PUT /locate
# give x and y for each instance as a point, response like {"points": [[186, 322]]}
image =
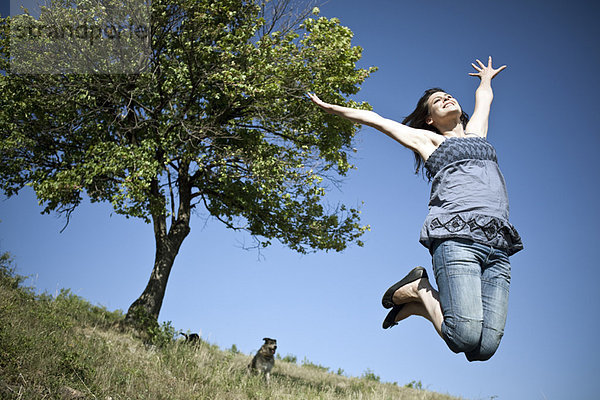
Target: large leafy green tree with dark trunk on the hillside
{"points": [[215, 117]]}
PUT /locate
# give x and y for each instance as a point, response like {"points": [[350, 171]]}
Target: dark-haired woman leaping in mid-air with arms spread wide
{"points": [[466, 231]]}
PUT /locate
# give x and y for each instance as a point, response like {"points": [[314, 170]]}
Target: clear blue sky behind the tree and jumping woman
{"points": [[325, 307]]}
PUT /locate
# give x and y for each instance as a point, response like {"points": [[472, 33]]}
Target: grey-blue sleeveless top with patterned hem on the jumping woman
{"points": [[468, 196]]}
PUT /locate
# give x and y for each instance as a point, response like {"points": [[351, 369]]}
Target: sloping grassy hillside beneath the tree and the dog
{"points": [[62, 347]]}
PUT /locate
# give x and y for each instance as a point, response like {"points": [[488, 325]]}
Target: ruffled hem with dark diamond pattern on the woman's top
{"points": [[492, 231]]}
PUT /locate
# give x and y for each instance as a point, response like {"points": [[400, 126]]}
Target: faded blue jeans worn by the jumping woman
{"points": [[473, 282]]}
